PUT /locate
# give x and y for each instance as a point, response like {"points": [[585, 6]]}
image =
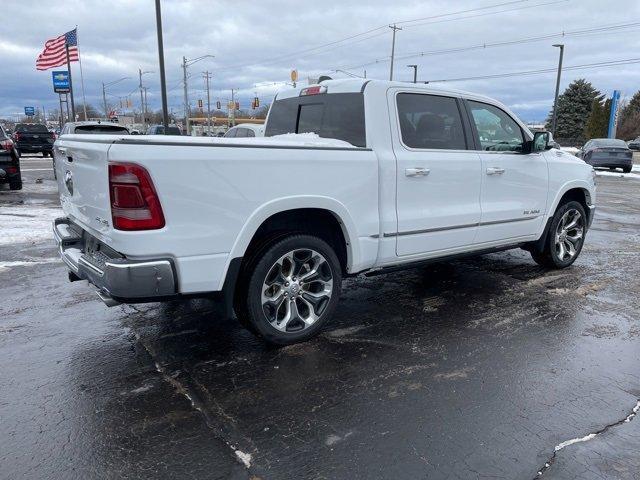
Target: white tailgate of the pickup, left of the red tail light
{"points": [[83, 183]]}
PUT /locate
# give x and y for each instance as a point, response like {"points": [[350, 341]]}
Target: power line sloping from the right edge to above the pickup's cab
{"points": [[483, 46]]}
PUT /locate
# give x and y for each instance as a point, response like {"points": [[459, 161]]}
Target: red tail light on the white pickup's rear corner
{"points": [[134, 202]]}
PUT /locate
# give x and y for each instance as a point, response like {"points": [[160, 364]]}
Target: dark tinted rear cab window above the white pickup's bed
{"points": [[329, 115]]}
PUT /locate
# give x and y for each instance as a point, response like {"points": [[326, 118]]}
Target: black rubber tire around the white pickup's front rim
{"points": [[550, 256]]}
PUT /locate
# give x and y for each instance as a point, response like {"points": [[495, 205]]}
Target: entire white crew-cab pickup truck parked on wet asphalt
{"points": [[402, 174]]}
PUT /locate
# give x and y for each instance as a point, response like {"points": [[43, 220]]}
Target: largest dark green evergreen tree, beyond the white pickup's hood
{"points": [[574, 108]]}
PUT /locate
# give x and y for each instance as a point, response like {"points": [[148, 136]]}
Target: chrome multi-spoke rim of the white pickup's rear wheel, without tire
{"points": [[297, 290]]}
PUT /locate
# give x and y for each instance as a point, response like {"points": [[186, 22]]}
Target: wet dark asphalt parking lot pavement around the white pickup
{"points": [[470, 369]]}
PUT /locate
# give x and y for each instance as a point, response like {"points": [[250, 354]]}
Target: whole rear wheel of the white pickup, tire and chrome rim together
{"points": [[291, 290]]}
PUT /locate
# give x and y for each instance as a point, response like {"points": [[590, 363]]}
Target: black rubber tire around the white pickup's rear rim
{"points": [[249, 307]]}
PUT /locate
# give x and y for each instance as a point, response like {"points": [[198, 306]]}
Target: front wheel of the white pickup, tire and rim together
{"points": [[565, 237]]}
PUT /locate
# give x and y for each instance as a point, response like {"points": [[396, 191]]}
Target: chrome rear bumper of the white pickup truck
{"points": [[117, 278]]}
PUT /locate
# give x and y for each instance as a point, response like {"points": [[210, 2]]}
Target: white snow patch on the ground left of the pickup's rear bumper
{"points": [[26, 224]]}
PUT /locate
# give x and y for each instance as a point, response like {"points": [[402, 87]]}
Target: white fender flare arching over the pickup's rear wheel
{"points": [[283, 204]]}
